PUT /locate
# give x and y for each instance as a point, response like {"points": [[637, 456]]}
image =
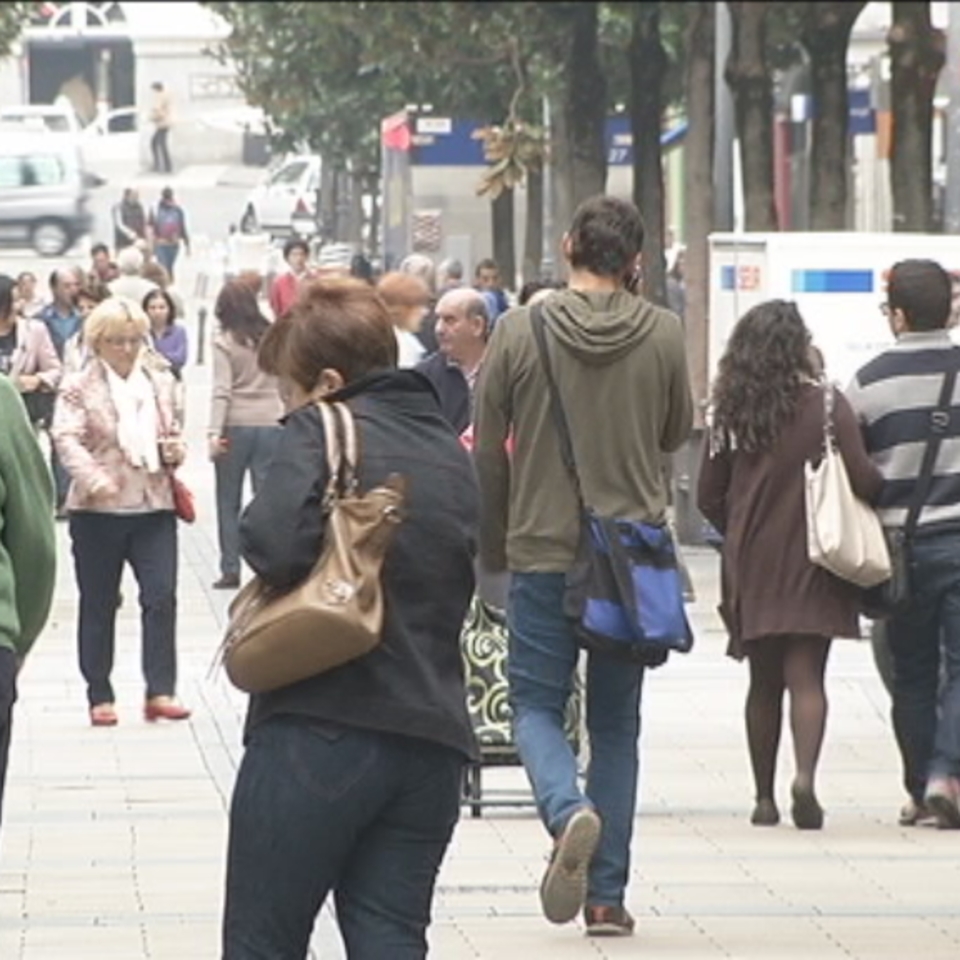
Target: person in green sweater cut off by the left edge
{"points": [[27, 552]]}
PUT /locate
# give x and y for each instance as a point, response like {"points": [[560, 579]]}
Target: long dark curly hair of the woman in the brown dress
{"points": [[760, 376]]}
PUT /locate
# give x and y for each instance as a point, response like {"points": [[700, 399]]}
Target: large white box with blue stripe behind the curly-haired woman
{"points": [[838, 281]]}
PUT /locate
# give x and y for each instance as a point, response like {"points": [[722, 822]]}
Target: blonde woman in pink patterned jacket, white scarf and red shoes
{"points": [[117, 432]]}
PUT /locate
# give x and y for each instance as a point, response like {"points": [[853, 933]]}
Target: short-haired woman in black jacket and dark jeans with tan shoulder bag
{"points": [[351, 780]]}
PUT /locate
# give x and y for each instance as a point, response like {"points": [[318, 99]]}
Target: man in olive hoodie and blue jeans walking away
{"points": [[620, 366]]}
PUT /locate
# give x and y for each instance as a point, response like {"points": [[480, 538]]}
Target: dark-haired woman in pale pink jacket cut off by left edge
{"points": [[27, 355]]}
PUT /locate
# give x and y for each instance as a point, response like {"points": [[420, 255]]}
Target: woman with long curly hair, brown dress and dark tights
{"points": [[781, 610]]}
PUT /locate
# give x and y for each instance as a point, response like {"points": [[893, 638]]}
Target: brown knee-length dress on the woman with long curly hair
{"points": [[768, 585]]}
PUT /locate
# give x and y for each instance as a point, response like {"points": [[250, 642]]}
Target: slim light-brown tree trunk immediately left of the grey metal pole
{"points": [[698, 187]]}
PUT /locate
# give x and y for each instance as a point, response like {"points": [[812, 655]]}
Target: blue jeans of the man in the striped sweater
{"points": [[928, 733]]}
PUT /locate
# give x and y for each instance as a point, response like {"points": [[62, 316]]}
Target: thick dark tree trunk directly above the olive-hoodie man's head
{"points": [[579, 127]]}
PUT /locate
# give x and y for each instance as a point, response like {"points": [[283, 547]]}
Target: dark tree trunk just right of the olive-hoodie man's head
{"points": [[648, 63]]}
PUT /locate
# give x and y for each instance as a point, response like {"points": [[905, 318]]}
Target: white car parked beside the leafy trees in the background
{"points": [[285, 203]]}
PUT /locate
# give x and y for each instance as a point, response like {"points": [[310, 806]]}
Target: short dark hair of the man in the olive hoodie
{"points": [[605, 237]]}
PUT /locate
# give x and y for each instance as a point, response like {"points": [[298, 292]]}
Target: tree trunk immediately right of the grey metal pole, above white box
{"points": [[749, 77]]}
